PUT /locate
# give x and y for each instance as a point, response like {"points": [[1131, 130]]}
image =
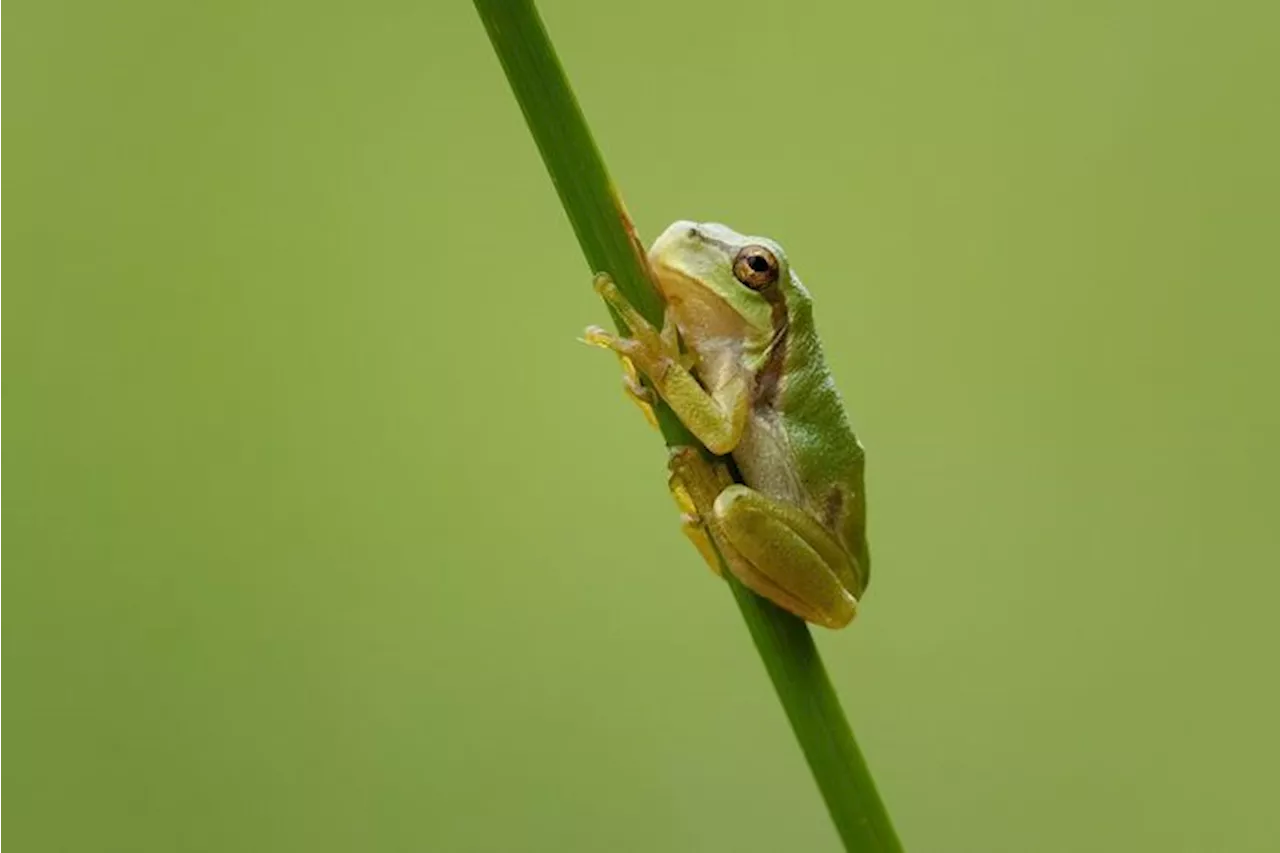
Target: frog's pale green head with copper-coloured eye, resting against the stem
{"points": [[720, 284]]}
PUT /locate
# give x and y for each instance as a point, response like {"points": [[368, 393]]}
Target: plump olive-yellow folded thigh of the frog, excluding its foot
{"points": [[788, 551]]}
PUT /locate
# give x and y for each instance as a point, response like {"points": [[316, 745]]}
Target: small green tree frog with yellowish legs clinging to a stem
{"points": [[751, 382]]}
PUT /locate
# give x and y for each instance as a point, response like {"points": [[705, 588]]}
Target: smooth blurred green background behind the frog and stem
{"points": [[321, 532]]}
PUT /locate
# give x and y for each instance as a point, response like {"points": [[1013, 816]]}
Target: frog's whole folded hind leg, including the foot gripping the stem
{"points": [[775, 549]]}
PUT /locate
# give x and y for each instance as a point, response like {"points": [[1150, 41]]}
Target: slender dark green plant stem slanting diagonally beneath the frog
{"points": [[610, 244]]}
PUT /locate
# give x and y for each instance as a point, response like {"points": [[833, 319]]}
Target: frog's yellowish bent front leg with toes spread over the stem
{"points": [[716, 418]]}
